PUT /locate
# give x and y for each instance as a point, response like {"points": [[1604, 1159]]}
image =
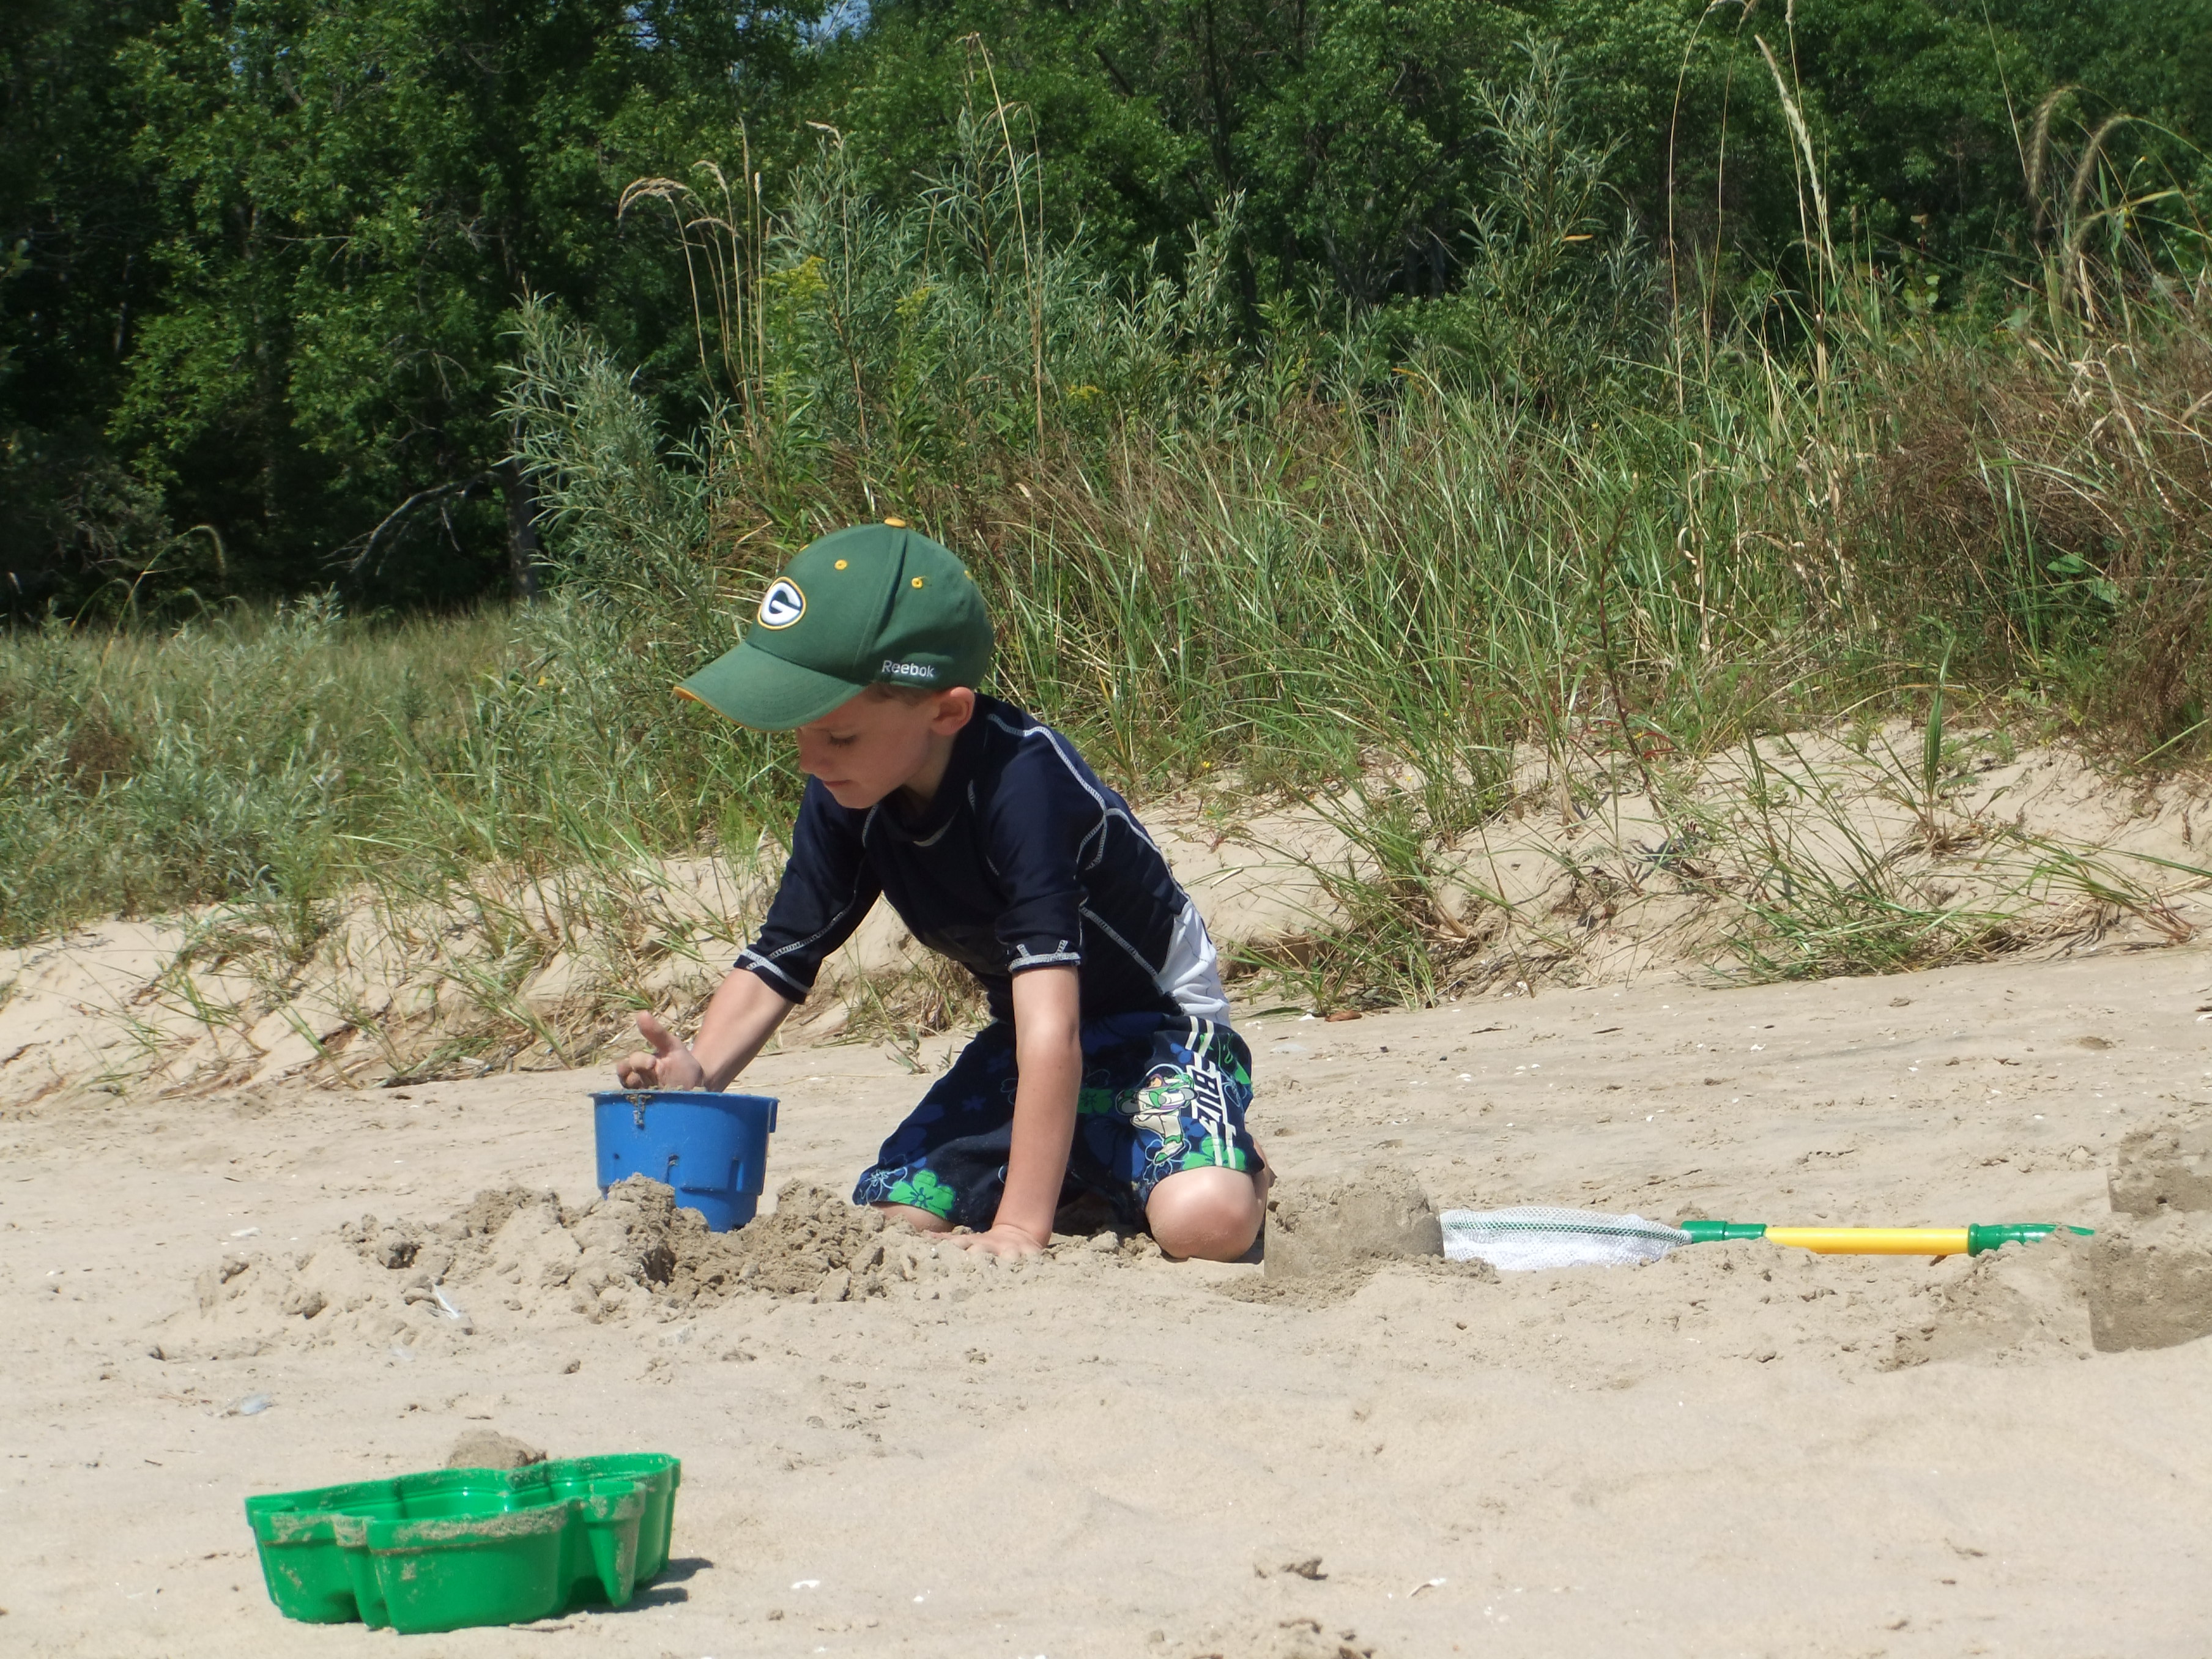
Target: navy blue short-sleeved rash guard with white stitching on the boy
{"points": [[1021, 862]]}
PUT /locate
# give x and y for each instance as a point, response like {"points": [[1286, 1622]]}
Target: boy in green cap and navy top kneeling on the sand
{"points": [[1109, 1063]]}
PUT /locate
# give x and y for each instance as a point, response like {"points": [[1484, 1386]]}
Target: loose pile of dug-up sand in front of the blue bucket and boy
{"points": [[519, 1258]]}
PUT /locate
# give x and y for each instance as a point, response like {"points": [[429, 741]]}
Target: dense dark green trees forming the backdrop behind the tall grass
{"points": [[258, 258]]}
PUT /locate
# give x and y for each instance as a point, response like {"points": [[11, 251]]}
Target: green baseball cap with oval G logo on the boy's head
{"points": [[875, 605]]}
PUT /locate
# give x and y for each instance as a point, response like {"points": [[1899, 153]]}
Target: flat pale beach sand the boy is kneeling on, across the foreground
{"points": [[895, 1450]]}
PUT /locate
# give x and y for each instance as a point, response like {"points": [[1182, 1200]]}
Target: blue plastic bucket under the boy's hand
{"points": [[711, 1149]]}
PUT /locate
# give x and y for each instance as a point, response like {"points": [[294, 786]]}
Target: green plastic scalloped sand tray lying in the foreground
{"points": [[468, 1547]]}
